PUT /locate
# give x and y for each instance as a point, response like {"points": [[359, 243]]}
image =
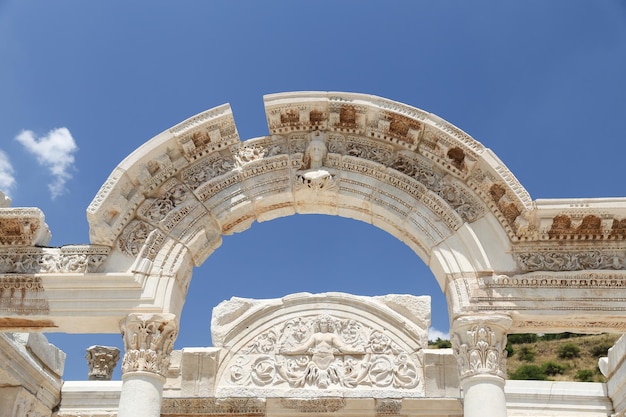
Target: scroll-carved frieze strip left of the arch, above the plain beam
{"points": [[67, 259]]}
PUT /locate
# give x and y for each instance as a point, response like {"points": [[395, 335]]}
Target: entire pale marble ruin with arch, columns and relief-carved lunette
{"points": [[506, 264]]}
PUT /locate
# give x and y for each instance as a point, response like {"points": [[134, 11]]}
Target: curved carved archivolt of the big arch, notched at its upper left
{"points": [[401, 169]]}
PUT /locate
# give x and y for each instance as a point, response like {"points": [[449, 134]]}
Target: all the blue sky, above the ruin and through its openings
{"points": [[83, 84]]}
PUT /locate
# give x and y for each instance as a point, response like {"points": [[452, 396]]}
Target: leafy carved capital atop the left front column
{"points": [[148, 341]]}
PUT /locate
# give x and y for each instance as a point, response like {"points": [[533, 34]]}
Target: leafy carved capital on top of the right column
{"points": [[479, 345]]}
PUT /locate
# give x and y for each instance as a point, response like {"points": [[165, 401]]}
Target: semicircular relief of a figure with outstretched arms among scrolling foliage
{"points": [[324, 352]]}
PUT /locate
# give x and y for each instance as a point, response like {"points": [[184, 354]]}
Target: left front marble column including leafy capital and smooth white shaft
{"points": [[148, 342]]}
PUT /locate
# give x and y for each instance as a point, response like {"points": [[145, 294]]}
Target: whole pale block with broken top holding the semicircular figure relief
{"points": [[322, 344]]}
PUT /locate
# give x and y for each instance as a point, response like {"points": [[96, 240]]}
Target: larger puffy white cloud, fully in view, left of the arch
{"points": [[54, 151]]}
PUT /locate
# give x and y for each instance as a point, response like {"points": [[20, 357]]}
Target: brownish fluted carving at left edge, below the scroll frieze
{"points": [[22, 295]]}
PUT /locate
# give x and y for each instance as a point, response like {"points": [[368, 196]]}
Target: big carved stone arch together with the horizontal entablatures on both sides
{"points": [[506, 263]]}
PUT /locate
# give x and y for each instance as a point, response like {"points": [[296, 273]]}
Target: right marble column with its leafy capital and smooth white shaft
{"points": [[479, 344]]}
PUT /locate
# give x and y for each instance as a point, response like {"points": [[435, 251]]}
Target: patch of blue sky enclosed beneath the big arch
{"points": [[305, 253]]}
